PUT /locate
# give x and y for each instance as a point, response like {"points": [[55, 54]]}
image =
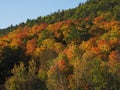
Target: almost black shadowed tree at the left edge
{"points": [[8, 58]]}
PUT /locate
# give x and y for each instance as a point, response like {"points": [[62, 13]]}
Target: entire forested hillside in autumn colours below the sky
{"points": [[75, 49]]}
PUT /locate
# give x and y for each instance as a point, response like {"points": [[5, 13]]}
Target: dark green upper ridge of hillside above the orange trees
{"points": [[109, 9]]}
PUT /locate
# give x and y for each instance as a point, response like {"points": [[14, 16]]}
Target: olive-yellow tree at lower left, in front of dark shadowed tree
{"points": [[23, 80]]}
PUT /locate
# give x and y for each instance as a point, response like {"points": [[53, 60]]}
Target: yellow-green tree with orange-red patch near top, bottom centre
{"points": [[58, 74]]}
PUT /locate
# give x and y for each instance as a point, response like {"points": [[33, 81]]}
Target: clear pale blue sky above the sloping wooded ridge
{"points": [[17, 11]]}
